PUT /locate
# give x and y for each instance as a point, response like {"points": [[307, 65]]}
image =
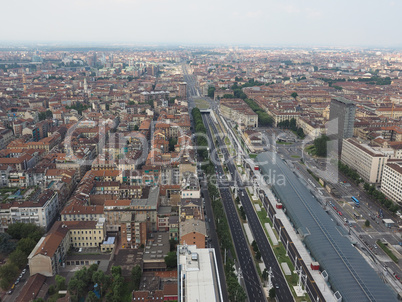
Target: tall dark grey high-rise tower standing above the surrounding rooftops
{"points": [[342, 116]]}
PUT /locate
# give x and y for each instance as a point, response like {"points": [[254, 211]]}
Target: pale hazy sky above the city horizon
{"points": [[256, 22]]}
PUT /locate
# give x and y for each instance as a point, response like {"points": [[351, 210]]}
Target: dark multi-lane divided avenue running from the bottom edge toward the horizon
{"points": [[248, 270]]}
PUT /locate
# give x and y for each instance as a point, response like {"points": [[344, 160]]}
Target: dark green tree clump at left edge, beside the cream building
{"points": [[17, 243]]}
